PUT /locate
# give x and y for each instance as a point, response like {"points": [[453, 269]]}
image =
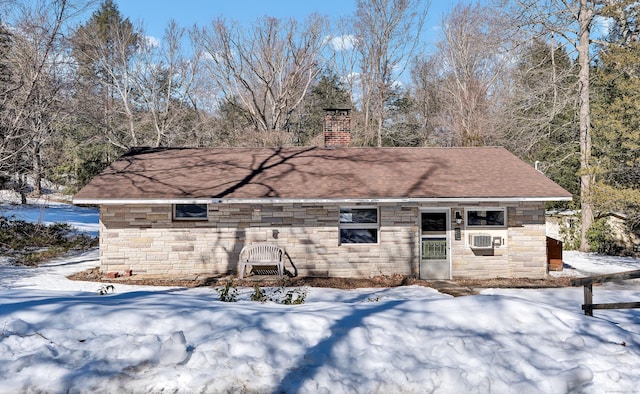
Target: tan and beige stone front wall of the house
{"points": [[146, 240]]}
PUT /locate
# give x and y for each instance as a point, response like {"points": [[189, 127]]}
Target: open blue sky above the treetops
{"points": [[155, 14]]}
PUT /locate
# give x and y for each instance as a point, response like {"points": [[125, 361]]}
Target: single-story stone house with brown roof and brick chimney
{"points": [[436, 213]]}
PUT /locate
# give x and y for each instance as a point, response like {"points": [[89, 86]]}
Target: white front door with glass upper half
{"points": [[435, 262]]}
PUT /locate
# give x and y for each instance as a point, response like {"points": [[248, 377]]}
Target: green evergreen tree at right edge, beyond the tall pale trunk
{"points": [[616, 121]]}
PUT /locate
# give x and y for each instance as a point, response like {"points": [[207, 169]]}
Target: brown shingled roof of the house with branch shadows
{"points": [[311, 173]]}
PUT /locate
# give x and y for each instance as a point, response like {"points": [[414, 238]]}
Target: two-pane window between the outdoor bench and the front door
{"points": [[358, 225]]}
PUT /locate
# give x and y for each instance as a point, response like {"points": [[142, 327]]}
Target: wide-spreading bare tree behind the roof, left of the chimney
{"points": [[265, 71]]}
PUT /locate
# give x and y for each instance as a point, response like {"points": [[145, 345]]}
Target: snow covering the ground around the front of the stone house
{"points": [[58, 335]]}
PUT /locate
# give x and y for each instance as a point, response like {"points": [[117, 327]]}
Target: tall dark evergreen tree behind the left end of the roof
{"points": [[102, 47]]}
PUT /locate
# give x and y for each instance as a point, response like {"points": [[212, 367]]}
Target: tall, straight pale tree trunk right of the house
{"points": [[585, 18]]}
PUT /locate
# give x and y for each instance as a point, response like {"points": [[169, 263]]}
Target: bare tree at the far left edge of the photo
{"points": [[33, 101]]}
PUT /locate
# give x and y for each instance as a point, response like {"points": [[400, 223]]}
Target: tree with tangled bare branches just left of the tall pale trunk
{"points": [[541, 104]]}
